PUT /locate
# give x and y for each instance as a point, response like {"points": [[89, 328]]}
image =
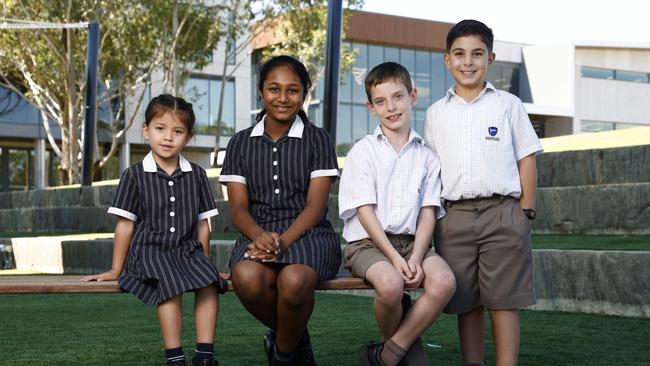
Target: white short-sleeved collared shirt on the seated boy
{"points": [[397, 183]]}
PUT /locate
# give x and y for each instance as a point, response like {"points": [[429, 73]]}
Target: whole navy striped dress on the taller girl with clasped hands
{"points": [[277, 176]]}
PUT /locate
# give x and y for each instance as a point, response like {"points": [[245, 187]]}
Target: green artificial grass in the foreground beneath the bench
{"points": [[116, 329]]}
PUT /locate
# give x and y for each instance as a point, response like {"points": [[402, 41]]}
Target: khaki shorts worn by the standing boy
{"points": [[486, 242]]}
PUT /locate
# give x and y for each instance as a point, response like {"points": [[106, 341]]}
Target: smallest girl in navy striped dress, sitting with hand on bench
{"points": [[163, 205]]}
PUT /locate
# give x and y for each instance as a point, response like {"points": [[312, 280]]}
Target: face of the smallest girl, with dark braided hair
{"points": [[167, 136]]}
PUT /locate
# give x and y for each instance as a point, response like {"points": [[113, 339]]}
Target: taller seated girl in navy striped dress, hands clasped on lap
{"points": [[278, 174]]}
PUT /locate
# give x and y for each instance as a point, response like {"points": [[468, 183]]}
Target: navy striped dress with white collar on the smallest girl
{"points": [[165, 257]]}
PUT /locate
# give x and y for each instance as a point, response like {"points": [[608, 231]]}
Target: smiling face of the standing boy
{"points": [[468, 61]]}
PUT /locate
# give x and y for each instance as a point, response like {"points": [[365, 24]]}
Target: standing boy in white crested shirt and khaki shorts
{"points": [[487, 148]]}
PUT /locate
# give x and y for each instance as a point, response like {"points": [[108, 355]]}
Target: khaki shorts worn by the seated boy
{"points": [[360, 255]]}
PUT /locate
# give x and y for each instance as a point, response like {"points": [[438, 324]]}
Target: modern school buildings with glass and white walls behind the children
{"points": [[566, 89]]}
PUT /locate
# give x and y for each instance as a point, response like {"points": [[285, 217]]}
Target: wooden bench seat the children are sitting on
{"points": [[38, 284]]}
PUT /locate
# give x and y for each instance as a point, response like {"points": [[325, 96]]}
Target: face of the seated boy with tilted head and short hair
{"points": [[391, 103]]}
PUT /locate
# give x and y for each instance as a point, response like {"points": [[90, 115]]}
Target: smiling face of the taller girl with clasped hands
{"points": [[282, 95]]}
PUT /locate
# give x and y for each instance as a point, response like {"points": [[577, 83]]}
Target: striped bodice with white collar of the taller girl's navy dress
{"points": [[277, 173]]}
